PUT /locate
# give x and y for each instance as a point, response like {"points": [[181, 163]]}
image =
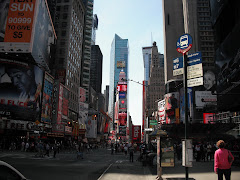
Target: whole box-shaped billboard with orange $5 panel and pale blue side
{"points": [[26, 27]]}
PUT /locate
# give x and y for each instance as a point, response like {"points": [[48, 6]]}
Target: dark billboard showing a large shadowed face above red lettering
{"points": [[20, 90]]}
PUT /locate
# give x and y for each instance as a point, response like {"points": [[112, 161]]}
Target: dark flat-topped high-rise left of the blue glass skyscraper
{"points": [[96, 68]]}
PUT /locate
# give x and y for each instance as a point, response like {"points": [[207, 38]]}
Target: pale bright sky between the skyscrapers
{"points": [[139, 21]]}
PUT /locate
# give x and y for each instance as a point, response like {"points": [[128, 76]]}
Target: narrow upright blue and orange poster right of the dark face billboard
{"points": [[47, 98]]}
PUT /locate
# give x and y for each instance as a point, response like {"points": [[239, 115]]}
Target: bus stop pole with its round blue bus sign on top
{"points": [[184, 44]]}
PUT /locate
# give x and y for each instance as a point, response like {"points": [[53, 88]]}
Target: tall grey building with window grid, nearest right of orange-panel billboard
{"points": [[69, 25]]}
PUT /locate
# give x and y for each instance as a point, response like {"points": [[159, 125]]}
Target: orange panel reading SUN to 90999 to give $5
{"points": [[20, 20]]}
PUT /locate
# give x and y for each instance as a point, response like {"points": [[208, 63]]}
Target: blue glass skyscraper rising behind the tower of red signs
{"points": [[118, 63]]}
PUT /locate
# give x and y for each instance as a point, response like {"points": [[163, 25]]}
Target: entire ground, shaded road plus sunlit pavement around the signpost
{"points": [[101, 165]]}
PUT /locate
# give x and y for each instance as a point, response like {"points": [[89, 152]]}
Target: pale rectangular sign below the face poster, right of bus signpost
{"points": [[204, 98]]}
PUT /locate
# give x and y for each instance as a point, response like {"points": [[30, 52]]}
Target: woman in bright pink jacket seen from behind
{"points": [[221, 164]]}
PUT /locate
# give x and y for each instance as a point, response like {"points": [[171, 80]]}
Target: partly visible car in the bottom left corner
{"points": [[8, 172]]}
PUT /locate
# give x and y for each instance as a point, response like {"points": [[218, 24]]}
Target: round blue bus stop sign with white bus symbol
{"points": [[184, 43]]}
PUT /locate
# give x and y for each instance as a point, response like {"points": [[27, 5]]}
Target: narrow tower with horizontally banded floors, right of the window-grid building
{"points": [[86, 62]]}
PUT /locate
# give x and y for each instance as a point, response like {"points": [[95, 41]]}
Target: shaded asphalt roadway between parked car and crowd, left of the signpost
{"points": [[97, 165]]}
